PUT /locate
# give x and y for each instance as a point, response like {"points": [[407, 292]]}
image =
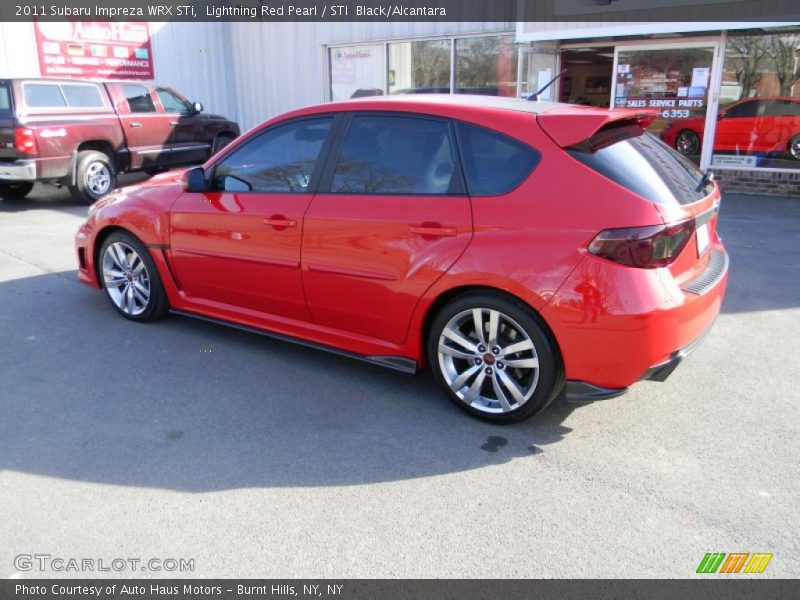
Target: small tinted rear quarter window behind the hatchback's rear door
{"points": [[494, 163]]}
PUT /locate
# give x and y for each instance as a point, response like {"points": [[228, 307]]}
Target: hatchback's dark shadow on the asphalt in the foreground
{"points": [[188, 405]]}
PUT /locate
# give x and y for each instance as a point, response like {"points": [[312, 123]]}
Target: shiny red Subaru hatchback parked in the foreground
{"points": [[514, 247]]}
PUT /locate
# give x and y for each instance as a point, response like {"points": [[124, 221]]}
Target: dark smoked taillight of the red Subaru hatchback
{"points": [[645, 247]]}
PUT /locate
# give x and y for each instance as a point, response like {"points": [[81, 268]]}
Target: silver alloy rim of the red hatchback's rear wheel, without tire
{"points": [[488, 360]]}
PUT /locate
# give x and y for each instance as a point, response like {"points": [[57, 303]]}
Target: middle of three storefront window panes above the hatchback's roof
{"points": [[421, 67]]}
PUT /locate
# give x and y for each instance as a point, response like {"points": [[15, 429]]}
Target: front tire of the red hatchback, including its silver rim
{"points": [[130, 278]]}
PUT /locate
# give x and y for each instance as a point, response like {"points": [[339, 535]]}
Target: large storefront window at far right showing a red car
{"points": [[758, 125]]}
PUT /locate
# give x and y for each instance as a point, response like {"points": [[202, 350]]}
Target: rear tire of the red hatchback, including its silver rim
{"points": [[459, 365]]}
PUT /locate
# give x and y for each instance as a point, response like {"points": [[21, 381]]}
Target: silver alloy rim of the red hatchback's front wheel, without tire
{"points": [[126, 278]]}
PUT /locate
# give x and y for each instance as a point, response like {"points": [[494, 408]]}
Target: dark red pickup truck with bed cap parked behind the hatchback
{"points": [[82, 133]]}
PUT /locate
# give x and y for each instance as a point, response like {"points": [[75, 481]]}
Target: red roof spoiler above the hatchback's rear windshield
{"points": [[569, 126]]}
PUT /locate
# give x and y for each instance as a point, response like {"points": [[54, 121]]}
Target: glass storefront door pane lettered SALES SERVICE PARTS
{"points": [[676, 82]]}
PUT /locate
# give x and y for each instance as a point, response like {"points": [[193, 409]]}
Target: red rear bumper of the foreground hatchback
{"points": [[619, 325]]}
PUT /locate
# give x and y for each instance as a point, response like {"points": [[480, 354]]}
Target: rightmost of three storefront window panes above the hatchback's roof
{"points": [[486, 65]]}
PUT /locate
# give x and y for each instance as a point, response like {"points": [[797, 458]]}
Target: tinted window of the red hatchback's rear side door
{"points": [[387, 154]]}
